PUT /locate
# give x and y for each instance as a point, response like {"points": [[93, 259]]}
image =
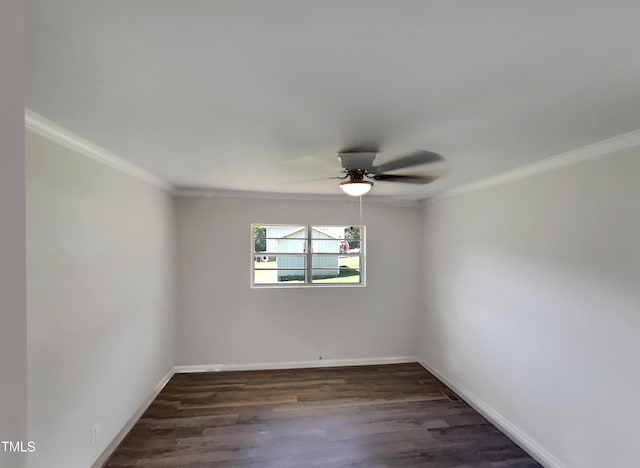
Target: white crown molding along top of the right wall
{"points": [[553, 163]]}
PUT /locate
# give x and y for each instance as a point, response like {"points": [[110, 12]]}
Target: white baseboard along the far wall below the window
{"points": [[296, 364]]}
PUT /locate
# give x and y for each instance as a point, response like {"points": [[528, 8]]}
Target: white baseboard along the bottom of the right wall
{"points": [[507, 427]]}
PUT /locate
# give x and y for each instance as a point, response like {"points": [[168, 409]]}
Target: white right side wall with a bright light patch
{"points": [[533, 306]]}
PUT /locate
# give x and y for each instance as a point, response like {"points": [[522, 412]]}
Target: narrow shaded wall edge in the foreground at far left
{"points": [[13, 346]]}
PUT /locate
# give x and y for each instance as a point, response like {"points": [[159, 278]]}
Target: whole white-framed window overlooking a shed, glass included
{"points": [[299, 255]]}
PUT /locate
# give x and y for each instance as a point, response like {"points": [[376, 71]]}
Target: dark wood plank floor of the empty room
{"points": [[367, 416]]}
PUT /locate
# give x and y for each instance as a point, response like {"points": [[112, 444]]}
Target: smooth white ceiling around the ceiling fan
{"points": [[261, 94]]}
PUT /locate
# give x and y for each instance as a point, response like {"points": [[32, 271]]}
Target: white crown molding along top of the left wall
{"points": [[45, 128]]}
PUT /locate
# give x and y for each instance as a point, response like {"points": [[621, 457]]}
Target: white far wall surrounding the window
{"points": [[221, 320]]}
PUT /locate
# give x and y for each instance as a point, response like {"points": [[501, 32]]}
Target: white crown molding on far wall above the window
{"points": [[220, 193]]}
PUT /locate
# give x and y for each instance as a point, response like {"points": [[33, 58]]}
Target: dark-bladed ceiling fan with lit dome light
{"points": [[358, 166]]}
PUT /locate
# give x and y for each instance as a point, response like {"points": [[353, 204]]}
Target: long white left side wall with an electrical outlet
{"points": [[99, 298]]}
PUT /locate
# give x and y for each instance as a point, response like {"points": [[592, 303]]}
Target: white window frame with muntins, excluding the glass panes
{"points": [[308, 255]]}
